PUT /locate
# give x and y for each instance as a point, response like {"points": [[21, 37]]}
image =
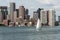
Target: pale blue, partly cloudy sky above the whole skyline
{"points": [[33, 5]]}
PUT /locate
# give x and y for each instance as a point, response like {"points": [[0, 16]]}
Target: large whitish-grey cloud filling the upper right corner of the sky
{"points": [[51, 3]]}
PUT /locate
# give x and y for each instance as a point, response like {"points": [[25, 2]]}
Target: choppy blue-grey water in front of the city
{"points": [[29, 33]]}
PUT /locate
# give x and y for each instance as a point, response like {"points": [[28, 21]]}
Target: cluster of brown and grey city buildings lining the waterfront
{"points": [[21, 16]]}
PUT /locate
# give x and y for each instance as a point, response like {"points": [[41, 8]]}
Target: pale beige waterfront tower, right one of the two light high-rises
{"points": [[52, 17]]}
